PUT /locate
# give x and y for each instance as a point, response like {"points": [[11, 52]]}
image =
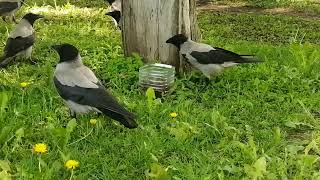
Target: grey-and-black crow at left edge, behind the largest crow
{"points": [[21, 40]]}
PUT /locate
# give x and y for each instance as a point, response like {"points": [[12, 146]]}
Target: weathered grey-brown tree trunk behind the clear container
{"points": [[147, 24]]}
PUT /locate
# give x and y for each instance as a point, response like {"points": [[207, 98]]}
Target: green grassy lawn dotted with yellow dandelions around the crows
{"points": [[253, 121]]}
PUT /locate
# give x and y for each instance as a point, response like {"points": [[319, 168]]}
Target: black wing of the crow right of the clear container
{"points": [[217, 56]]}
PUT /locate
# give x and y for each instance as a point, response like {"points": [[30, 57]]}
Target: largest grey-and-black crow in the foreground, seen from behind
{"points": [[82, 91]]}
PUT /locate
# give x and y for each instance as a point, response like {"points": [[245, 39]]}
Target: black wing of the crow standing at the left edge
{"points": [[18, 44]]}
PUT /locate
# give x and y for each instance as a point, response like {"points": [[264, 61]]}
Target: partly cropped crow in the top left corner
{"points": [[9, 8]]}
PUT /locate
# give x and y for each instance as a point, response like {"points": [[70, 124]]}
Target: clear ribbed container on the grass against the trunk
{"points": [[158, 76]]}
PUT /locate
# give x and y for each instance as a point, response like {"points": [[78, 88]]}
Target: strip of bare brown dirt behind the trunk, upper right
{"points": [[248, 9]]}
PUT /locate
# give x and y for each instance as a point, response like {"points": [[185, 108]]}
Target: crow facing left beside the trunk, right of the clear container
{"points": [[209, 60]]}
